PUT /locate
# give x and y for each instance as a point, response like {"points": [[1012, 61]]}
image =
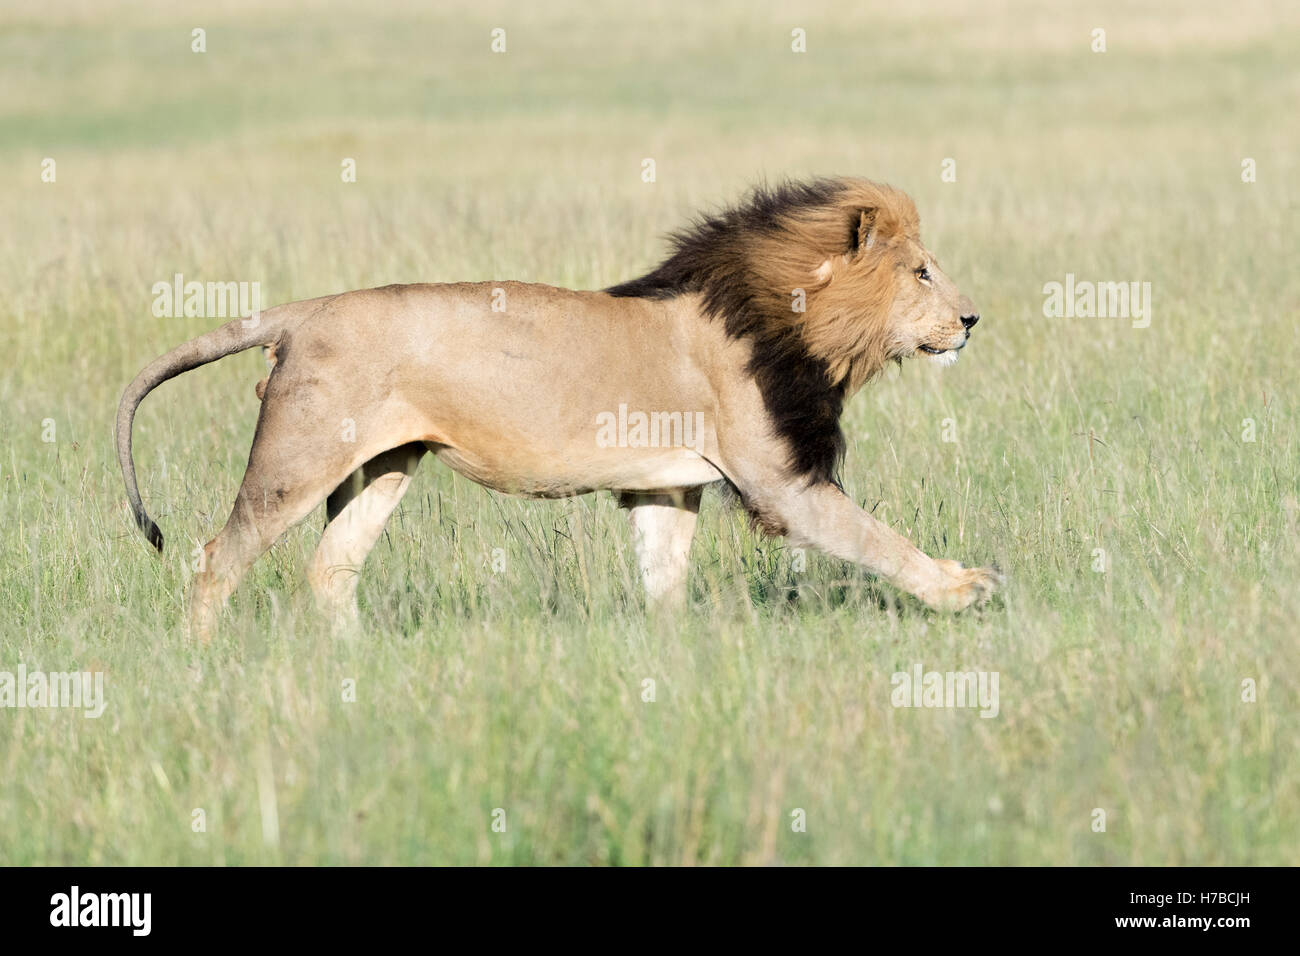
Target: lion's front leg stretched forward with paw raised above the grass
{"points": [[825, 518]]}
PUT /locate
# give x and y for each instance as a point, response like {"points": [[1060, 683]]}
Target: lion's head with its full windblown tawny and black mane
{"points": [[829, 282]]}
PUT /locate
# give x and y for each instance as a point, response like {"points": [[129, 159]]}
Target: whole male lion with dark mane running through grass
{"points": [[735, 358]]}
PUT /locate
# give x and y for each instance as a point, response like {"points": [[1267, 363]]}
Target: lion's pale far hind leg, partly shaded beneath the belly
{"points": [[357, 512]]}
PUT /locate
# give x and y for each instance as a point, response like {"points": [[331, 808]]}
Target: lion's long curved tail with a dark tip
{"points": [[233, 338]]}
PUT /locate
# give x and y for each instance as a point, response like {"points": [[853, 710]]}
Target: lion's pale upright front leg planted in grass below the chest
{"points": [[664, 526]]}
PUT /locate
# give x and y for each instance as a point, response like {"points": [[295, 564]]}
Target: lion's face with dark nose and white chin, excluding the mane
{"points": [[929, 315]]}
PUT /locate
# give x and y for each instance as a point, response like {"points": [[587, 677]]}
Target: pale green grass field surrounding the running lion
{"points": [[1175, 448]]}
